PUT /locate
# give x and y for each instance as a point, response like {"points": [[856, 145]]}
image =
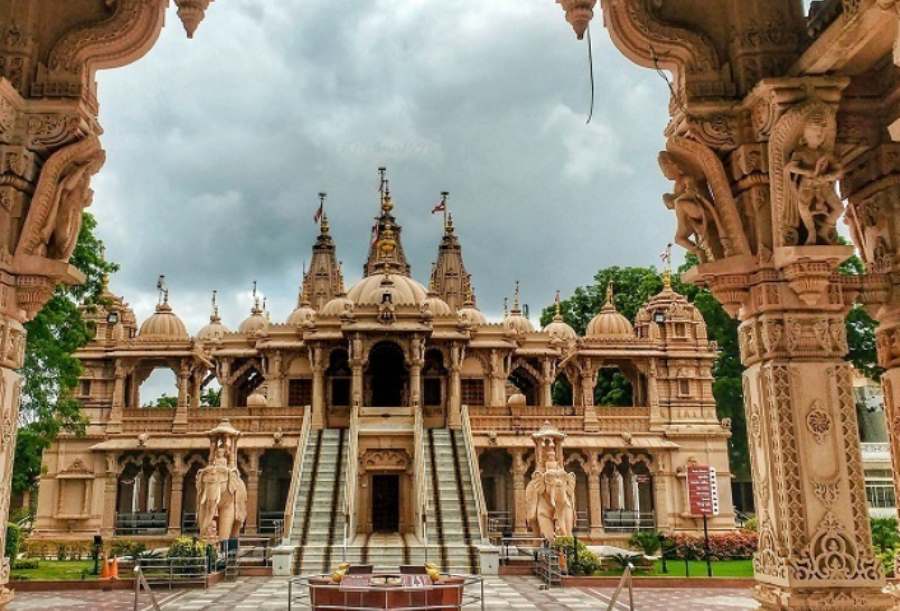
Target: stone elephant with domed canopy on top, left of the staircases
{"points": [[221, 494]]}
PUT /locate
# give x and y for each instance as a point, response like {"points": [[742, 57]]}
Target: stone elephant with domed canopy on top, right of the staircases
{"points": [[550, 495]]}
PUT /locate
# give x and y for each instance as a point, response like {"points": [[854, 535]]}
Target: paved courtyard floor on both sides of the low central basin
{"points": [[258, 594]]}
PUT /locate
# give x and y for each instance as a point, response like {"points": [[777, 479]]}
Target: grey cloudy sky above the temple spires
{"points": [[217, 148]]}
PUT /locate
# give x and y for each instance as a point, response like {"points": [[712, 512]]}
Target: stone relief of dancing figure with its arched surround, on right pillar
{"points": [[804, 174]]}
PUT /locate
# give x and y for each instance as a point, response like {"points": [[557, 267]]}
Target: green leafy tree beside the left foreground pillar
{"points": [[50, 371]]}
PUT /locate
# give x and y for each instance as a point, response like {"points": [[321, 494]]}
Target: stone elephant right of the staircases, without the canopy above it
{"points": [[550, 503]]}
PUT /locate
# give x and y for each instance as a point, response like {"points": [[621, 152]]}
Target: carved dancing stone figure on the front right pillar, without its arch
{"points": [[811, 176]]}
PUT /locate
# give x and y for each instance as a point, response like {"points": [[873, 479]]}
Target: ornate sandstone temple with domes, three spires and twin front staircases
{"points": [[390, 409]]}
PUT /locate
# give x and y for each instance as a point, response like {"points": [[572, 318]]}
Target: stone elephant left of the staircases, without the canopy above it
{"points": [[221, 502]]}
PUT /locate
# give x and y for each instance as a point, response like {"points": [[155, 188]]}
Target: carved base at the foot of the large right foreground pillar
{"points": [[859, 598]]}
